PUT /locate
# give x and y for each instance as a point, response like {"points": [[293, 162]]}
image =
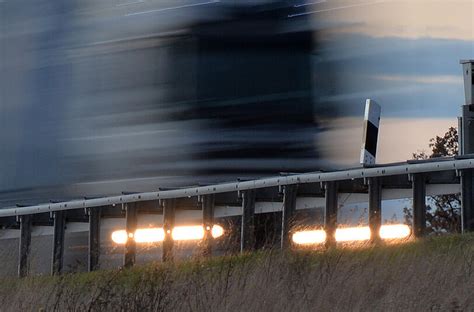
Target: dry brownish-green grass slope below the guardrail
{"points": [[433, 274]]}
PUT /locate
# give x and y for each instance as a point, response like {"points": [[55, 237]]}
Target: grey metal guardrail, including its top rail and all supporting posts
{"points": [[290, 185]]}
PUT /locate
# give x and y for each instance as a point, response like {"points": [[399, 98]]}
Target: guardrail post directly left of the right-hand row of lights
{"points": [[289, 208]]}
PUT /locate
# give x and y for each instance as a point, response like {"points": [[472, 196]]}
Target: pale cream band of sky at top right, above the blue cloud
{"points": [[442, 19]]}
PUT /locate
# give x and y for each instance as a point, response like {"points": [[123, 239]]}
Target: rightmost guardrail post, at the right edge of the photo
{"points": [[467, 207]]}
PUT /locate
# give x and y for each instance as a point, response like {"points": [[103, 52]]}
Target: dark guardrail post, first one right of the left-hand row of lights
{"points": [[247, 233]]}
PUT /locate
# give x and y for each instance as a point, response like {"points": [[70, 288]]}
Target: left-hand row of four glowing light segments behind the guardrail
{"points": [[154, 235]]}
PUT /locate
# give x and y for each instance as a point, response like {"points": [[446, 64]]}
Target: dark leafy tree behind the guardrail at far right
{"points": [[443, 212]]}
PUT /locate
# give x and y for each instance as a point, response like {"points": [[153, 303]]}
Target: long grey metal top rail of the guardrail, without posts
{"points": [[431, 165]]}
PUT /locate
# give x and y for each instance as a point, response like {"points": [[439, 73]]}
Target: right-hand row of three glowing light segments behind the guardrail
{"points": [[388, 232]]}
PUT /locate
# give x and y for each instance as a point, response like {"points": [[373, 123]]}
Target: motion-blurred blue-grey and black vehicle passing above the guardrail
{"points": [[116, 96]]}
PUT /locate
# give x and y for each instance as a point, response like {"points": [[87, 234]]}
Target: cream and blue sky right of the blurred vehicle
{"points": [[404, 55]]}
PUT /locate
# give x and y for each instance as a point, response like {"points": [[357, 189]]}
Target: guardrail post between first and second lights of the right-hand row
{"points": [[330, 219]]}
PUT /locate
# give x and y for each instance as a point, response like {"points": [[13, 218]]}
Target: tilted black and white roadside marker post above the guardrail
{"points": [[371, 132]]}
